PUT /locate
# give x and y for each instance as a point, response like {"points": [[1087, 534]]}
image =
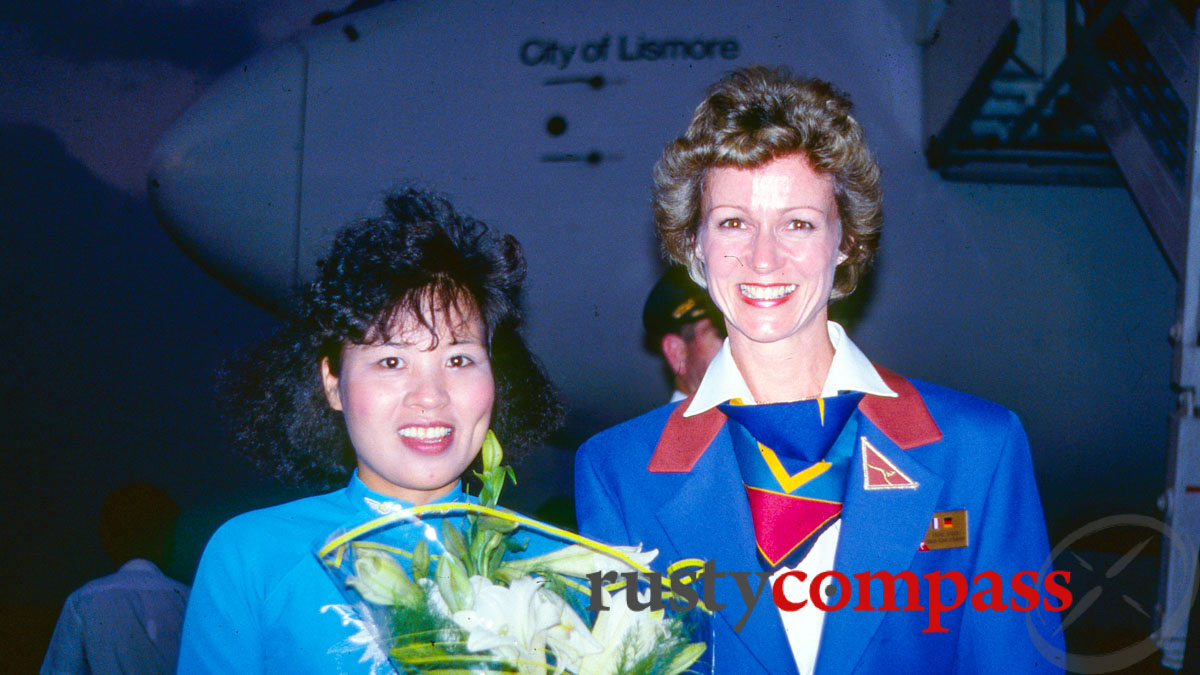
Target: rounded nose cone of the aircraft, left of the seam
{"points": [[226, 178]]}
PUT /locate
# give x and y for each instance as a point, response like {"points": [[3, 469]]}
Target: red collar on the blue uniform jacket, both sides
{"points": [[904, 420]]}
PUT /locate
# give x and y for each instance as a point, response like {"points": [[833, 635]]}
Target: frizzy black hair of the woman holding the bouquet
{"points": [[419, 259]]}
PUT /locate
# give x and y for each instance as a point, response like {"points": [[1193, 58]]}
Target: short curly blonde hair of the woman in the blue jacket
{"points": [[749, 118]]}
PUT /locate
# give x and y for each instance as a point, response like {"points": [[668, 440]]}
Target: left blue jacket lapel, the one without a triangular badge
{"points": [[709, 518]]}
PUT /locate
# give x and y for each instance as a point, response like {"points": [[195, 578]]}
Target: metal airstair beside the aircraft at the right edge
{"points": [[1091, 93]]}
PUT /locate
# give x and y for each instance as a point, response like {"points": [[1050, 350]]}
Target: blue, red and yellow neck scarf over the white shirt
{"points": [[794, 458]]}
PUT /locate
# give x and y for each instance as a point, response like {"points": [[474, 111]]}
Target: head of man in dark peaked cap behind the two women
{"points": [[685, 327]]}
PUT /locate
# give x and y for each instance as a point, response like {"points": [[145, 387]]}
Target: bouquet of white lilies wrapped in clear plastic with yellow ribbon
{"points": [[451, 589]]}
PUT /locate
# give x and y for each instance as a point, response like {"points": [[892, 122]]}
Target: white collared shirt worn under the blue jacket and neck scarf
{"points": [[849, 372]]}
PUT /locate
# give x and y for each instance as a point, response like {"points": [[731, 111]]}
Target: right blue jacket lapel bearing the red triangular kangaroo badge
{"points": [[883, 528]]}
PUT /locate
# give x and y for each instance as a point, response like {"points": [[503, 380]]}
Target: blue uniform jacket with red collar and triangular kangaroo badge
{"points": [[673, 483]]}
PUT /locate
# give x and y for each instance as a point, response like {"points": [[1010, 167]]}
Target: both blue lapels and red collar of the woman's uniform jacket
{"points": [[881, 530]]}
